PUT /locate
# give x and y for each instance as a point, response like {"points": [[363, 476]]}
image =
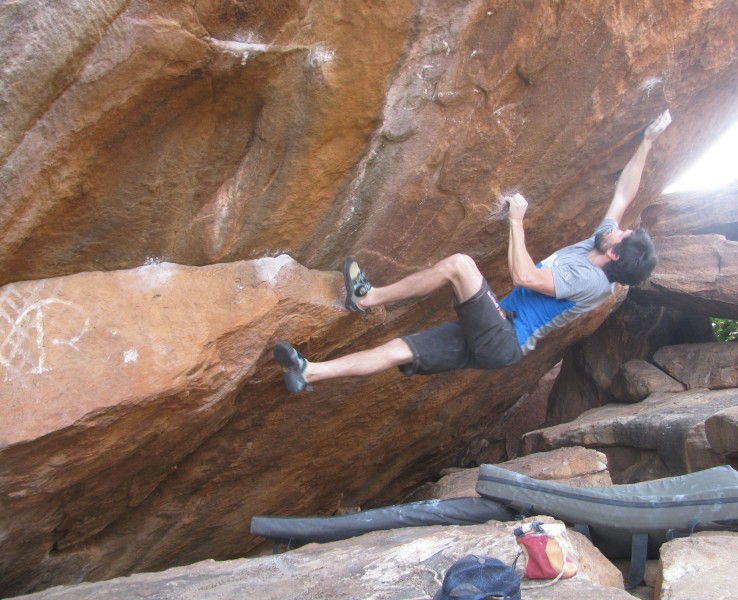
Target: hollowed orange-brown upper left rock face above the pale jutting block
{"points": [[192, 133]]}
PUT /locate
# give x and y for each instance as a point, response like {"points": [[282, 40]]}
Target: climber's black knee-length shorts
{"points": [[482, 338]]}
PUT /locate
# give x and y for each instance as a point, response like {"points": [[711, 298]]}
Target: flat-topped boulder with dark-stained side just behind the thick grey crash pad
{"points": [[662, 436]]}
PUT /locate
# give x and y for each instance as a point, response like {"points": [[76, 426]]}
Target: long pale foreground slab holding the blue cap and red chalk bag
{"points": [[401, 563]]}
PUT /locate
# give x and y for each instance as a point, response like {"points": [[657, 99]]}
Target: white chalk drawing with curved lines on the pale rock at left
{"points": [[25, 333]]}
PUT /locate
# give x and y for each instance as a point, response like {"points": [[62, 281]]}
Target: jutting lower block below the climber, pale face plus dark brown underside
{"points": [[145, 412]]}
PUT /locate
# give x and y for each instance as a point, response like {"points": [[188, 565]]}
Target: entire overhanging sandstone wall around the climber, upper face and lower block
{"points": [[140, 436]]}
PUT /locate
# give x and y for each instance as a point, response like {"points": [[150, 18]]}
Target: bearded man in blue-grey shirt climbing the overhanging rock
{"points": [[489, 334]]}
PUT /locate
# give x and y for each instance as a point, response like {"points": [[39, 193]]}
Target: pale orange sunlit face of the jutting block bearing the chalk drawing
{"points": [[96, 341]]}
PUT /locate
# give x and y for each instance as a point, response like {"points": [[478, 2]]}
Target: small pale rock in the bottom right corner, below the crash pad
{"points": [[700, 566]]}
